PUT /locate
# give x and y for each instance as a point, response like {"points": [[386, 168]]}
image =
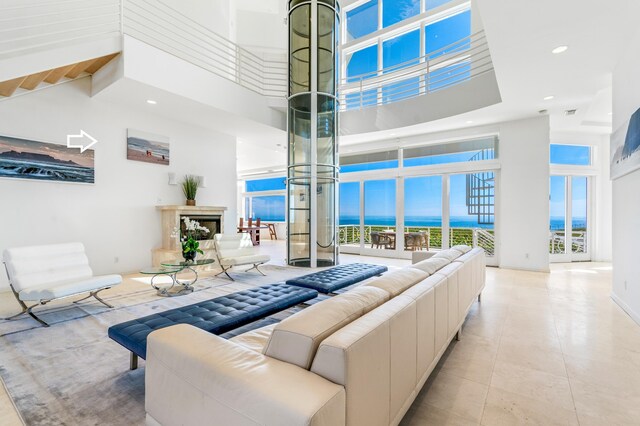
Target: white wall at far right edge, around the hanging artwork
{"points": [[626, 201]]}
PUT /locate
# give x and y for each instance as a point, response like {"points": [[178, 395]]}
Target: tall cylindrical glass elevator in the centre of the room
{"points": [[312, 172]]}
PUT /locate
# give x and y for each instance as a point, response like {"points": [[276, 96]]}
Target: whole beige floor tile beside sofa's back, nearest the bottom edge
{"points": [[454, 394]]}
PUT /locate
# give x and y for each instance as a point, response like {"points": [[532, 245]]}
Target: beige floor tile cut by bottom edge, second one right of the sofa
{"points": [[507, 408]]}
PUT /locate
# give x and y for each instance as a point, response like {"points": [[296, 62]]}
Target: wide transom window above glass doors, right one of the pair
{"points": [[456, 152]]}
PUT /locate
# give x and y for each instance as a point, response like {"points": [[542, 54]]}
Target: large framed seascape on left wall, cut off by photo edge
{"points": [[28, 159]]}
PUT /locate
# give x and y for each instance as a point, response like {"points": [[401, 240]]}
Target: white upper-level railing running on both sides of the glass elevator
{"points": [[28, 26]]}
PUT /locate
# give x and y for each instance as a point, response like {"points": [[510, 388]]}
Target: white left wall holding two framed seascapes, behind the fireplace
{"points": [[115, 217]]}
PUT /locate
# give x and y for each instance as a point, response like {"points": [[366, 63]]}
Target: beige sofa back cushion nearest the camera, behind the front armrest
{"points": [[296, 339]]}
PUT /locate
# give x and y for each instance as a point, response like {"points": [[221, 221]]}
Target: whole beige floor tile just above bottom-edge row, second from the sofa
{"points": [[532, 383]]}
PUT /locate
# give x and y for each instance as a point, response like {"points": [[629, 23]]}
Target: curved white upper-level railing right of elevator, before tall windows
{"points": [[456, 63]]}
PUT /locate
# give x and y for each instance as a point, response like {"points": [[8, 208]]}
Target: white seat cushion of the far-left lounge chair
{"points": [[55, 290]]}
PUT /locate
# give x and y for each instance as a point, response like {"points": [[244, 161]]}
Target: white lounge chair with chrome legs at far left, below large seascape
{"points": [[43, 273]]}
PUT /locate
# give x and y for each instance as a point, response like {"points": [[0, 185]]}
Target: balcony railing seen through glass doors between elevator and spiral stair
{"points": [[474, 237]]}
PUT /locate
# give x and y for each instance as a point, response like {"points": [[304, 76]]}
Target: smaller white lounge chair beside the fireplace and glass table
{"points": [[236, 250]]}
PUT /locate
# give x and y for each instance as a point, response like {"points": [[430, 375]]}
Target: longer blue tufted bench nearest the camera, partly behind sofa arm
{"points": [[216, 316]]}
